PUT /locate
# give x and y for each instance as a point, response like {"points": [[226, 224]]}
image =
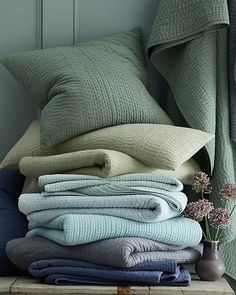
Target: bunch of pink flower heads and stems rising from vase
{"points": [[217, 218]]}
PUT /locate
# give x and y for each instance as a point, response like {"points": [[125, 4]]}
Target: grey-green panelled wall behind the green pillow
{"points": [[31, 24]]}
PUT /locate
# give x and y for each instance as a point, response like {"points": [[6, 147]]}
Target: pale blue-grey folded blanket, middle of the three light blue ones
{"points": [[146, 208]]}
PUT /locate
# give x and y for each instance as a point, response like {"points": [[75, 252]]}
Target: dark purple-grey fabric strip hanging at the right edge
{"points": [[231, 65]]}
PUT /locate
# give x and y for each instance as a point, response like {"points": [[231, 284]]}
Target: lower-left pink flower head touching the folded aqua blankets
{"points": [[198, 210]]}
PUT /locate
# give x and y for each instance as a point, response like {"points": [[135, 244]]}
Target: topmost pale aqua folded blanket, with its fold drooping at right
{"points": [[137, 184]]}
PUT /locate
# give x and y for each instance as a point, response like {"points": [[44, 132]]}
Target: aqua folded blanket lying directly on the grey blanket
{"points": [[74, 229]]}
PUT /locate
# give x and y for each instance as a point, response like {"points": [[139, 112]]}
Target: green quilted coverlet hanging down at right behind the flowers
{"points": [[188, 46]]}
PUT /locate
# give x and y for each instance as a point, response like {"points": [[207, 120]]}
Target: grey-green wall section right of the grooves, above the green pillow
{"points": [[98, 18]]}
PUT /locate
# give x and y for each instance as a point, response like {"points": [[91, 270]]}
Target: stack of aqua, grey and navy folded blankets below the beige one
{"points": [[128, 228]]}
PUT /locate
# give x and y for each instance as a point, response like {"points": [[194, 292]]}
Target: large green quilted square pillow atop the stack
{"points": [[88, 86]]}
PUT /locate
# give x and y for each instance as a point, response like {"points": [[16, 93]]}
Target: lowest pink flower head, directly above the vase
{"points": [[219, 218]]}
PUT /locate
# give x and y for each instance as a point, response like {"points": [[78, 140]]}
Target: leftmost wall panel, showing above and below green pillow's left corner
{"points": [[17, 33]]}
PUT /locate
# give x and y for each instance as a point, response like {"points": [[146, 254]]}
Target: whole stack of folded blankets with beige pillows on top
{"points": [[105, 208]]}
